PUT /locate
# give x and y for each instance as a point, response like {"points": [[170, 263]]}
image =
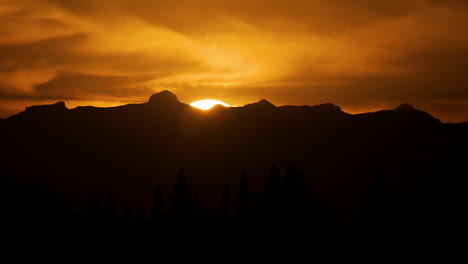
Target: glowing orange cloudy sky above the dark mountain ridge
{"points": [[362, 55]]}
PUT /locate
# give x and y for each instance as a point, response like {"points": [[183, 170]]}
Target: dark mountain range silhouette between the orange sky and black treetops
{"points": [[130, 149]]}
